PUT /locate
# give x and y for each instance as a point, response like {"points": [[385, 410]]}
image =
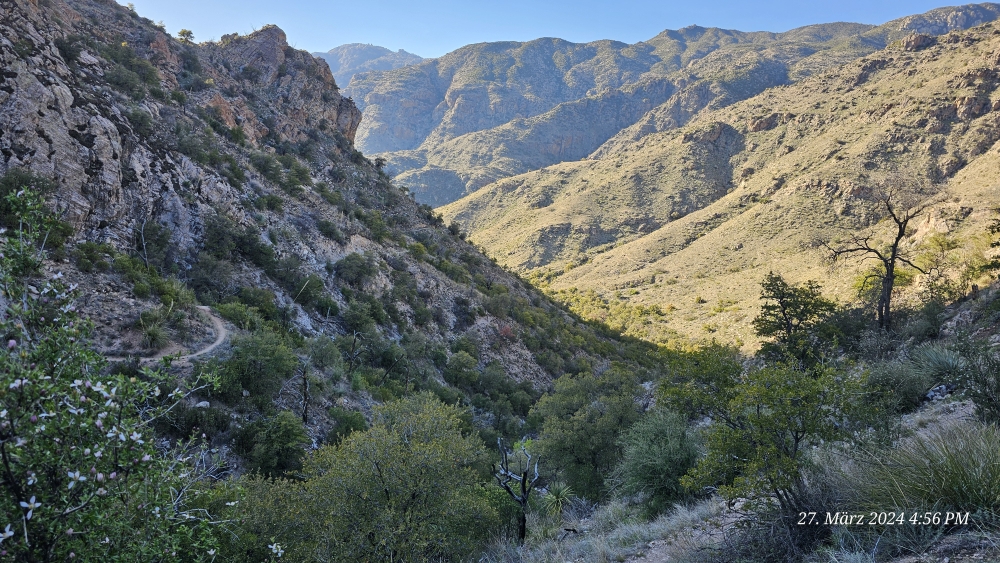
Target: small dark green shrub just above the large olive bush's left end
{"points": [[273, 447]]}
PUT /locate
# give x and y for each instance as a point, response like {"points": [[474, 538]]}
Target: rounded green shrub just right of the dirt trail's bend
{"points": [[260, 362]]}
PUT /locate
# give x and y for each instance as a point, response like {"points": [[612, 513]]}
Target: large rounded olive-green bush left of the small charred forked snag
{"points": [[403, 490]]}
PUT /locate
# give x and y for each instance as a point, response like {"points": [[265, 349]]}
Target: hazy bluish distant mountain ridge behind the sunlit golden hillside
{"points": [[449, 126]]}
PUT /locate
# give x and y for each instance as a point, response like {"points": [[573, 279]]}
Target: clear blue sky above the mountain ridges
{"points": [[434, 27]]}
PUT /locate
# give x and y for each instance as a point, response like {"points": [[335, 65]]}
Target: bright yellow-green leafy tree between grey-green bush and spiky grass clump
{"points": [[764, 422]]}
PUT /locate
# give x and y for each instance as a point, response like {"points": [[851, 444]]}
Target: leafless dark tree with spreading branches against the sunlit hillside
{"points": [[901, 206]]}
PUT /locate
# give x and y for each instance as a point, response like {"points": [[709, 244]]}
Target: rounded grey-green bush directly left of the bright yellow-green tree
{"points": [[656, 452]]}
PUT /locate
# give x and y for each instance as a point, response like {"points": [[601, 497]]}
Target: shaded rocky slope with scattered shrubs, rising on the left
{"points": [[227, 170]]}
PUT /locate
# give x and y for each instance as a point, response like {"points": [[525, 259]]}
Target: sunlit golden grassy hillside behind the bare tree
{"points": [[690, 220]]}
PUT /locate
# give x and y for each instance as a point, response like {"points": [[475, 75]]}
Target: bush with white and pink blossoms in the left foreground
{"points": [[80, 475]]}
